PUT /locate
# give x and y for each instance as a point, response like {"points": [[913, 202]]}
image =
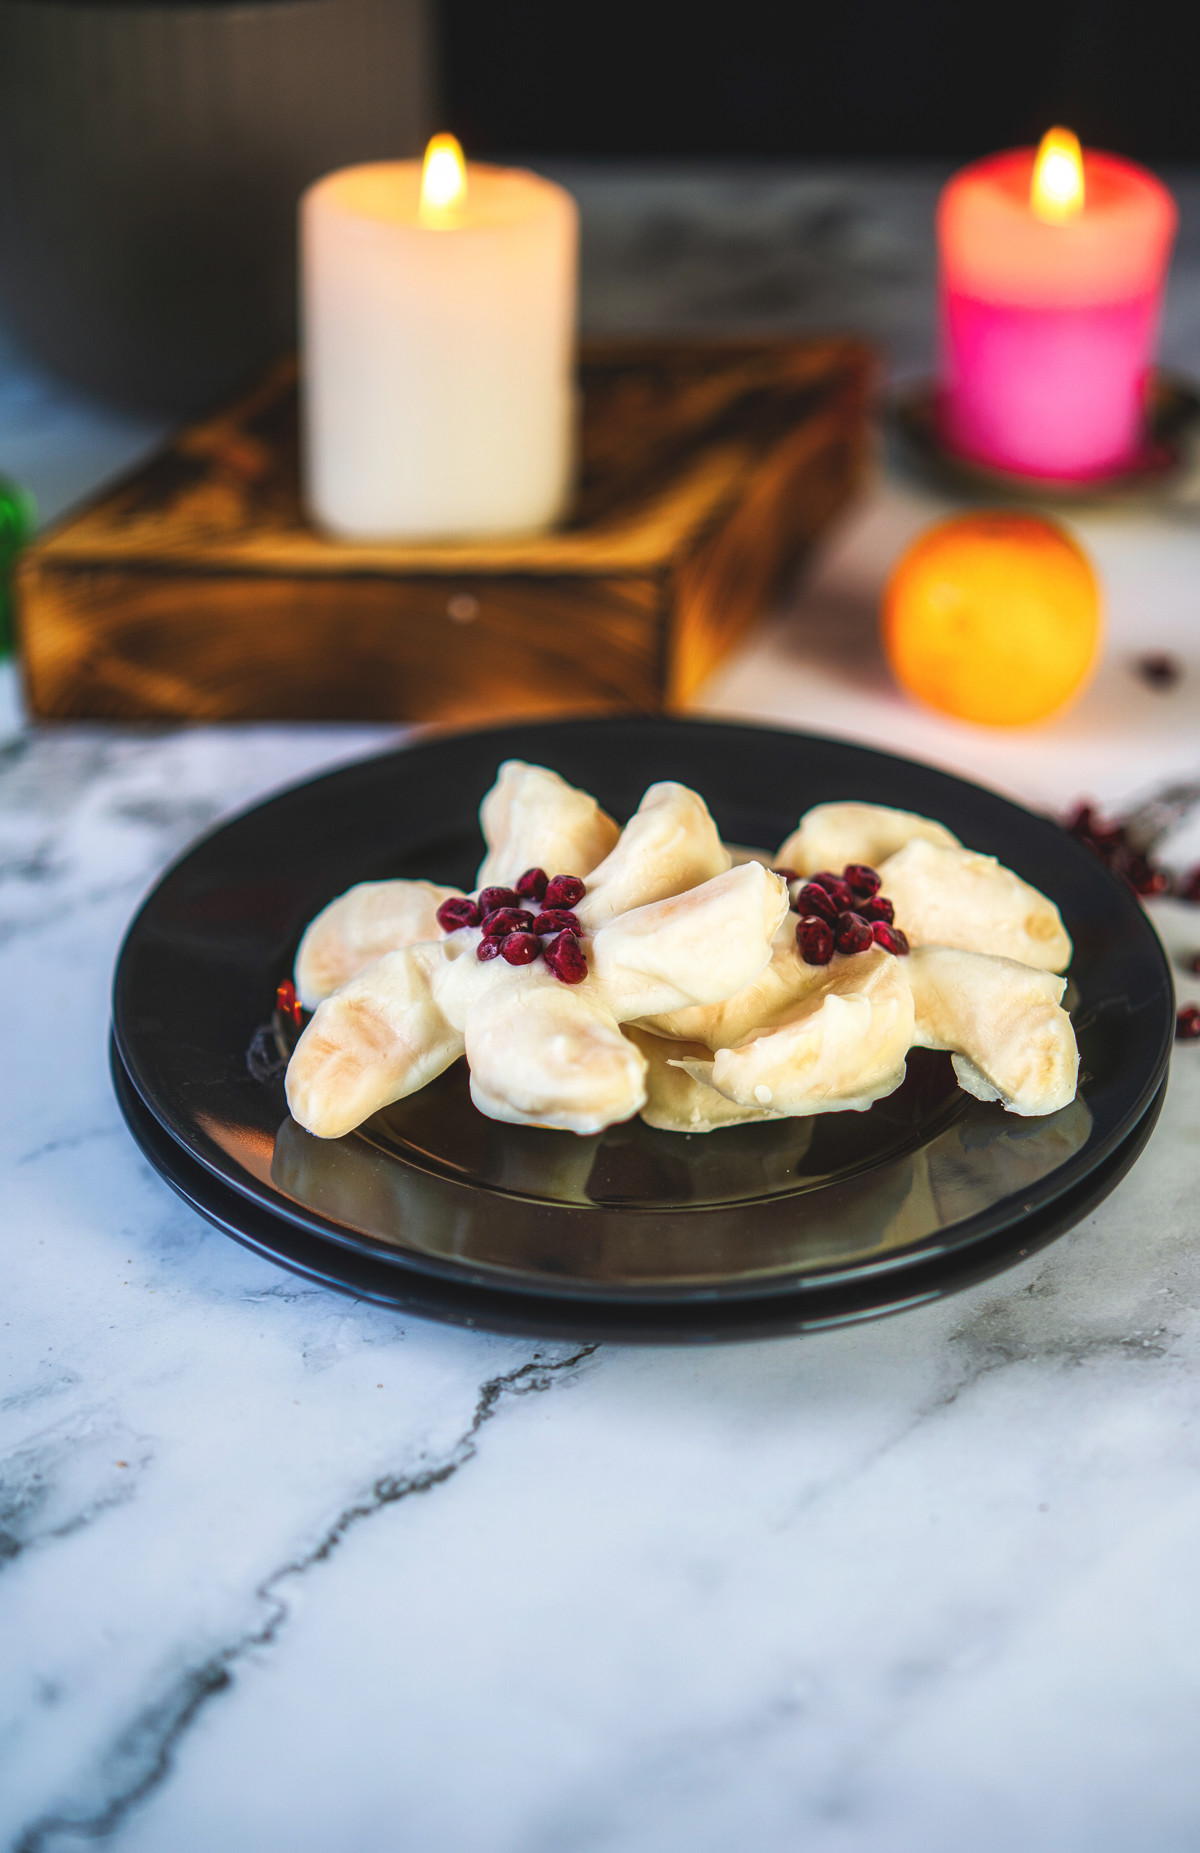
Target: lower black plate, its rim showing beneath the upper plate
{"points": [[812, 1309]]}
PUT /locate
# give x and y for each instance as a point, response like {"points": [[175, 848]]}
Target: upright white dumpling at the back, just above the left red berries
{"points": [[534, 820]]}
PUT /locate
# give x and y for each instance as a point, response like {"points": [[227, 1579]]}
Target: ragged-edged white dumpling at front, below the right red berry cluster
{"points": [[838, 1050]]}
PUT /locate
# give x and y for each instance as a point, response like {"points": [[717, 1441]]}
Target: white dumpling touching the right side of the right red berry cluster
{"points": [[958, 898]]}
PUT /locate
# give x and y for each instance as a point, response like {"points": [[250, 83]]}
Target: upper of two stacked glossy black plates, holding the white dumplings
{"points": [[631, 1218]]}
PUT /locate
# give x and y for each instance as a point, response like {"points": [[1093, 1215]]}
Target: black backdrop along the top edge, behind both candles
{"points": [[836, 79]]}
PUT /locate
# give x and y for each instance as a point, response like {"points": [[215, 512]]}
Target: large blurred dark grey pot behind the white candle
{"points": [[151, 162]]}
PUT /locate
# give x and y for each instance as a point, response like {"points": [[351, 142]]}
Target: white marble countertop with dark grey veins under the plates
{"points": [[282, 1570]]}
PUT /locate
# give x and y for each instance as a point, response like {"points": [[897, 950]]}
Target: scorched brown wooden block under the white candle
{"points": [[197, 590]]}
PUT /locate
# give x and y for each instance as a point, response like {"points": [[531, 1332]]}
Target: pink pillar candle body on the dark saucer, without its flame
{"points": [[1049, 329]]}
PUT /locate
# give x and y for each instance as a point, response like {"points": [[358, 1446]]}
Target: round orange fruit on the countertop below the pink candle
{"points": [[994, 618]]}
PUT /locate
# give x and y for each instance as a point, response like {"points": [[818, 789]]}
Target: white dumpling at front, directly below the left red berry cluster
{"points": [[551, 1055]]}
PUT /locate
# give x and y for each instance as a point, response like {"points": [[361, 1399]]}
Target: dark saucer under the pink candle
{"points": [[1168, 459]]}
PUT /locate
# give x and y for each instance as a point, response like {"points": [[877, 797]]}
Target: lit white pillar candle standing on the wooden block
{"points": [[438, 346]]}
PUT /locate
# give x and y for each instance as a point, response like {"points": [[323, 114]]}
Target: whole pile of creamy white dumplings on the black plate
{"points": [[697, 1009]]}
